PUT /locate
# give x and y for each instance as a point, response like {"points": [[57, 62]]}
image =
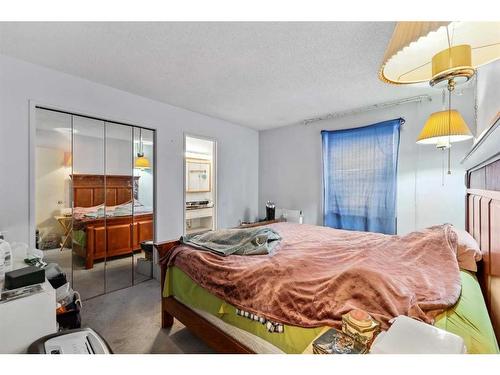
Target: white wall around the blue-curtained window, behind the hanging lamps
{"points": [[290, 166]]}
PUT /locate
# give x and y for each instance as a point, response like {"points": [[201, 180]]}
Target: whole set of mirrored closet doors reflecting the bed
{"points": [[94, 200]]}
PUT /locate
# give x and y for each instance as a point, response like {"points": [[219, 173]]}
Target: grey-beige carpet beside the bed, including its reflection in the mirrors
{"points": [[129, 319]]}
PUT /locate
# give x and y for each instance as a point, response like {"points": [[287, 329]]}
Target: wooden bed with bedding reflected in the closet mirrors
{"points": [[111, 224]]}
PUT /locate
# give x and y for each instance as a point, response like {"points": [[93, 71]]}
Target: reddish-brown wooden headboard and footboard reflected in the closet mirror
{"points": [[112, 236]]}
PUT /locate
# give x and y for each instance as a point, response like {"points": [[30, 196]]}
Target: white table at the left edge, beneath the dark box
{"points": [[26, 319]]}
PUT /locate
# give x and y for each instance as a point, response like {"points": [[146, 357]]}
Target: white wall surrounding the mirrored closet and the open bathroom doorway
{"points": [[21, 82]]}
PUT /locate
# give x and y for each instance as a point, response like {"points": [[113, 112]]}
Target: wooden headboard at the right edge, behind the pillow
{"points": [[483, 223]]}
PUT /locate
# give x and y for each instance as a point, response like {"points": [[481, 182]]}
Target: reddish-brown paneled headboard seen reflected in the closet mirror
{"points": [[88, 189]]}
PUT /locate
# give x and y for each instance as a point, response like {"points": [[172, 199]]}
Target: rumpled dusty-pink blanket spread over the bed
{"points": [[317, 274]]}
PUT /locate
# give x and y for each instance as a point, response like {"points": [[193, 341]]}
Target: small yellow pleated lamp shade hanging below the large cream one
{"points": [[444, 127]]}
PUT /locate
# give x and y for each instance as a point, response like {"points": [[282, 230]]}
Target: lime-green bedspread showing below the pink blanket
{"points": [[468, 318]]}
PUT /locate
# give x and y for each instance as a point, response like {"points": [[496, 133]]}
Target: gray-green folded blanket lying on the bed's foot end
{"points": [[249, 241]]}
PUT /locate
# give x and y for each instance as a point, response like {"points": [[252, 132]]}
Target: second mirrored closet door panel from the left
{"points": [[89, 220]]}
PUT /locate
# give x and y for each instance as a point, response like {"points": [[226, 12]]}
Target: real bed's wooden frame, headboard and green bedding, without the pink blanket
{"points": [[475, 316]]}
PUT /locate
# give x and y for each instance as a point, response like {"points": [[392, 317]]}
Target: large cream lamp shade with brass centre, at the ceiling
{"points": [[412, 53]]}
